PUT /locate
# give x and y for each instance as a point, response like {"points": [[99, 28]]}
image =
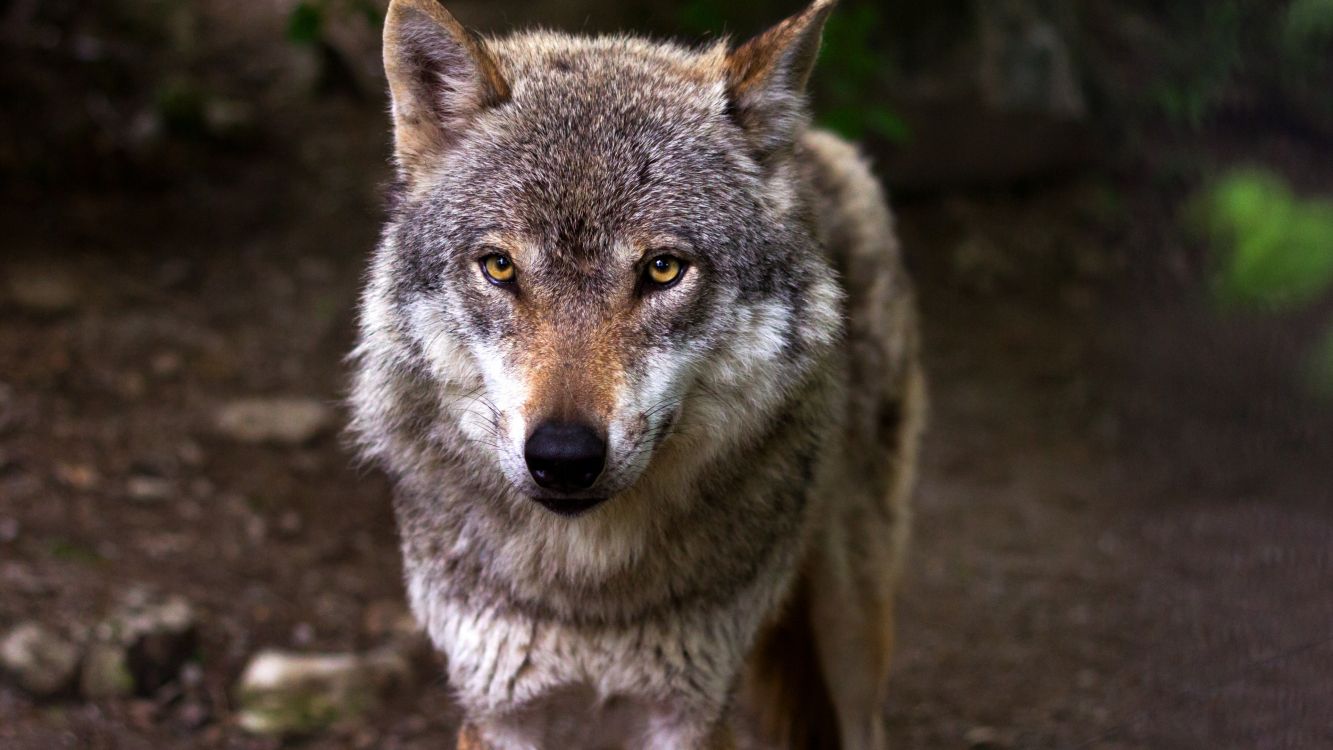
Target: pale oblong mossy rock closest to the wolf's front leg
{"points": [[294, 695]]}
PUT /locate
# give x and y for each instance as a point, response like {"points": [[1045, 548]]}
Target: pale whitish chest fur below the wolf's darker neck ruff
{"points": [[502, 661]]}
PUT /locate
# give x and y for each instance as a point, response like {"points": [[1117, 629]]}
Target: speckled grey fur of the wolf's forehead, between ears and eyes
{"points": [[606, 142]]}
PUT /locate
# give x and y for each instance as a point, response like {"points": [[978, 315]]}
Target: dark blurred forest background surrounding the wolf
{"points": [[1120, 219]]}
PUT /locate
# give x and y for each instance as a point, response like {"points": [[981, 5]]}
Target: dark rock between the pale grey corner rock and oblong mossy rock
{"points": [[149, 639]]}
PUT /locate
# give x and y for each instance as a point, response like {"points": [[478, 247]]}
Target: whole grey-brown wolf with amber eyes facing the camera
{"points": [[639, 352]]}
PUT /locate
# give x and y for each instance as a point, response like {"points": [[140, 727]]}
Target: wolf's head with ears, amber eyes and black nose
{"points": [[603, 270]]}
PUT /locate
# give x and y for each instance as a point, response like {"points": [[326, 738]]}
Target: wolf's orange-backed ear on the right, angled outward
{"points": [[767, 78]]}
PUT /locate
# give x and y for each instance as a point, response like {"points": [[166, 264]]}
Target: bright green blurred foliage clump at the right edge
{"points": [[1276, 248]]}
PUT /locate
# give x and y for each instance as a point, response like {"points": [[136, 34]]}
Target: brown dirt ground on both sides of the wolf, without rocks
{"points": [[1124, 528]]}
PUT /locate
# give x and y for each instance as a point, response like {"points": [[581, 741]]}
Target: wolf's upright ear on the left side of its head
{"points": [[441, 78]]}
